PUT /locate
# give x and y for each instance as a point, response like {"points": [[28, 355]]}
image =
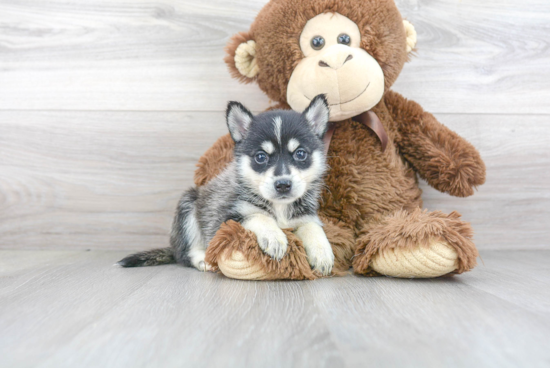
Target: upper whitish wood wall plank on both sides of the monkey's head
{"points": [[476, 57]]}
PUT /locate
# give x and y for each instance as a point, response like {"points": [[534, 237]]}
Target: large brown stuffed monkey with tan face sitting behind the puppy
{"points": [[353, 51]]}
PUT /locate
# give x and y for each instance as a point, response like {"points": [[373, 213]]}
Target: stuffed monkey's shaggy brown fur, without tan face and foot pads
{"points": [[372, 200]]}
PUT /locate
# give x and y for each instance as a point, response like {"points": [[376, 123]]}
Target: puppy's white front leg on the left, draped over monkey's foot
{"points": [[271, 238]]}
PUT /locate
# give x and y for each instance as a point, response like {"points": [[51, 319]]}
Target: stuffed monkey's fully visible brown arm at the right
{"points": [[440, 156]]}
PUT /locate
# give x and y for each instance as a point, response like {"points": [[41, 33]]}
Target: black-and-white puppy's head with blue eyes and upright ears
{"points": [[280, 153]]}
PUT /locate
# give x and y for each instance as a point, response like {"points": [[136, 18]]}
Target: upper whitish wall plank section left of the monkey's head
{"points": [[121, 55]]}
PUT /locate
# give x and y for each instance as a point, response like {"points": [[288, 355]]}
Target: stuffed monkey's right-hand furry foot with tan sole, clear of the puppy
{"points": [[416, 245]]}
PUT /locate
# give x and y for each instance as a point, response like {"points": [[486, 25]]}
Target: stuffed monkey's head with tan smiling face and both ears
{"points": [[350, 50]]}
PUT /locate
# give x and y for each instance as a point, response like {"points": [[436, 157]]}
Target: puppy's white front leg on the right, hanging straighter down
{"points": [[318, 249]]}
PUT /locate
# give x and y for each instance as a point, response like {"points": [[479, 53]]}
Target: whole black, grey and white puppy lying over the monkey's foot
{"points": [[273, 183]]}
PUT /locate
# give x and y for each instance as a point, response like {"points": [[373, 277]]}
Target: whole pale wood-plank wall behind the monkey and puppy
{"points": [[105, 106]]}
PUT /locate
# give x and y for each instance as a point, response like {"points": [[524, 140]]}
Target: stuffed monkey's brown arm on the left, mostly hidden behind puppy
{"points": [[214, 160]]}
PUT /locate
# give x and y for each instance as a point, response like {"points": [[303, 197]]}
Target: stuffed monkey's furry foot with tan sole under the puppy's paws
{"points": [[234, 251]]}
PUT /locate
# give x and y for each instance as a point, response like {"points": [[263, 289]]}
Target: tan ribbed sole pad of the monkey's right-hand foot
{"points": [[436, 259]]}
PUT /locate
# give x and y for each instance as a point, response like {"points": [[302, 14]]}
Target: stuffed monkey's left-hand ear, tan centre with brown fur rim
{"points": [[241, 57]]}
